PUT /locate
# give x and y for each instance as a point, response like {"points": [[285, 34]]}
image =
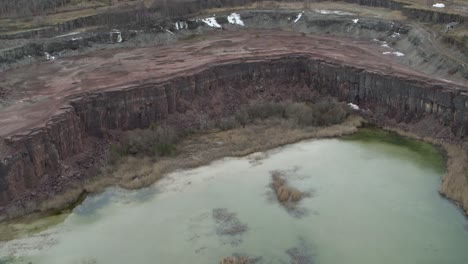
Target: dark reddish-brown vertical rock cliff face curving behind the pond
{"points": [[36, 160]]}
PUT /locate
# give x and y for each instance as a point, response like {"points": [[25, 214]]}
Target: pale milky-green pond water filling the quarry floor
{"points": [[373, 199]]}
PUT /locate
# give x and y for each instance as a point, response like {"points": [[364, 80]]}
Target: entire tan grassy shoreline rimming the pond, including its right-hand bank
{"points": [[128, 178]]}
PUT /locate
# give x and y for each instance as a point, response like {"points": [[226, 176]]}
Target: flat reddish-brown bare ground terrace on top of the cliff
{"points": [[37, 92]]}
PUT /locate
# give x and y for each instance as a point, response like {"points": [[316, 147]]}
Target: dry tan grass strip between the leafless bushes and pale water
{"points": [[197, 150]]}
